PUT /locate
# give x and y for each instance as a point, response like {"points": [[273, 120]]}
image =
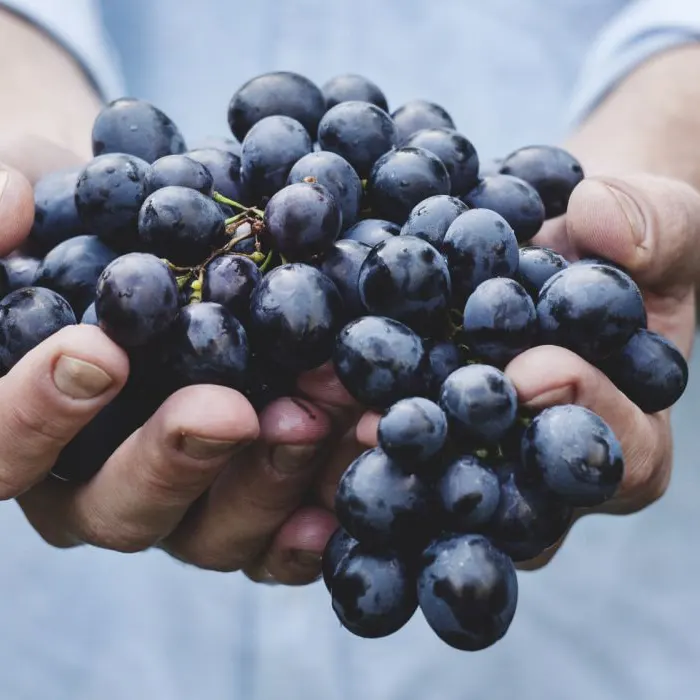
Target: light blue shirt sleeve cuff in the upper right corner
{"points": [[642, 30]]}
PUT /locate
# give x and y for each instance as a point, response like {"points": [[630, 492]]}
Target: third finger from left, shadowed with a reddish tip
{"points": [[234, 523]]}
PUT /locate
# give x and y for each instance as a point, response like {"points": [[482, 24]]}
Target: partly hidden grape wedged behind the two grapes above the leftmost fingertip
{"points": [[72, 269]]}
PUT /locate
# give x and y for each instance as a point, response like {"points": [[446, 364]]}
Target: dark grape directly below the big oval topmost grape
{"points": [[269, 151]]}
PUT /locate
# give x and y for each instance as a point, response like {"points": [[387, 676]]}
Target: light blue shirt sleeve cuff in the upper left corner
{"points": [[77, 26]]}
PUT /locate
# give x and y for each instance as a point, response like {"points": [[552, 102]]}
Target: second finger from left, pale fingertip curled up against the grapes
{"points": [[143, 491]]}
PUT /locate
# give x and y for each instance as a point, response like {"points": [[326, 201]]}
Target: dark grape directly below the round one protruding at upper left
{"points": [[109, 195]]}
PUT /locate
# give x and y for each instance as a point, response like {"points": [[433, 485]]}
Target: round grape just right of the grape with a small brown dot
{"points": [[403, 178]]}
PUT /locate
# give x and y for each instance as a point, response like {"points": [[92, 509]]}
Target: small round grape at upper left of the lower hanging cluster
{"points": [[412, 431]]}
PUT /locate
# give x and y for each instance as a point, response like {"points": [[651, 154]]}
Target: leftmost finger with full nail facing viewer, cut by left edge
{"points": [[48, 396]]}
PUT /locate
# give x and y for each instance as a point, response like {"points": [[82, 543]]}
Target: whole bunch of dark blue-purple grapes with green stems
{"points": [[330, 229]]}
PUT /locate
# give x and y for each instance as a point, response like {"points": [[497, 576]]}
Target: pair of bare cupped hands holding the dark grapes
{"points": [[216, 486]]}
